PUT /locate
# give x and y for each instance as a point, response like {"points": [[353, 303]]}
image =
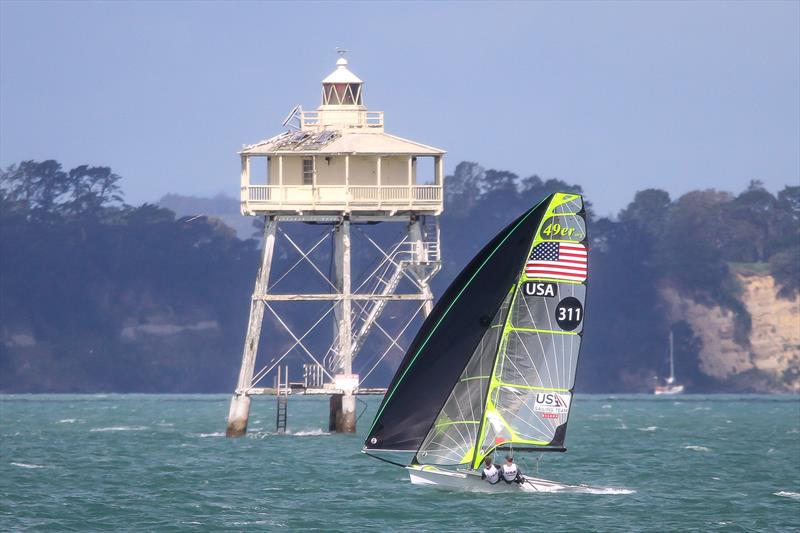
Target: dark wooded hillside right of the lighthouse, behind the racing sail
{"points": [[688, 243]]}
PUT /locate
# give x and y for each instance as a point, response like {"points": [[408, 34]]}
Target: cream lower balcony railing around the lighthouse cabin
{"points": [[348, 197]]}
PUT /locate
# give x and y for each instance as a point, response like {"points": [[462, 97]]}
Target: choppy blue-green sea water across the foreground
{"points": [[161, 463]]}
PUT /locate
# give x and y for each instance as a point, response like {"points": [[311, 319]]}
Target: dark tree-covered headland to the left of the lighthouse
{"points": [[82, 273]]}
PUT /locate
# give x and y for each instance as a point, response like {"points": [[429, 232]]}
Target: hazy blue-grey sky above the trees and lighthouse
{"points": [[614, 96]]}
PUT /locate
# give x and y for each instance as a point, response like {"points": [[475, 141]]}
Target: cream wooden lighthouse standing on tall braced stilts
{"points": [[337, 167]]}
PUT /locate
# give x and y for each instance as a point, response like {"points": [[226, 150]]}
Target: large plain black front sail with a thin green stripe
{"points": [[448, 338]]}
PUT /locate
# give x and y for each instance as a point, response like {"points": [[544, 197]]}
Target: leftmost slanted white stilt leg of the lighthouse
{"points": [[240, 403]]}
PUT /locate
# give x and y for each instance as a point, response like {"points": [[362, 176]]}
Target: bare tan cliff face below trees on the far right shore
{"points": [[771, 362]]}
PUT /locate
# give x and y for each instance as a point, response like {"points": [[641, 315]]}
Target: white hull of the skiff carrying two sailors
{"points": [[471, 481]]}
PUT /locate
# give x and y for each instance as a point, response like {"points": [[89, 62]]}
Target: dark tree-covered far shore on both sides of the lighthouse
{"points": [[83, 275]]}
